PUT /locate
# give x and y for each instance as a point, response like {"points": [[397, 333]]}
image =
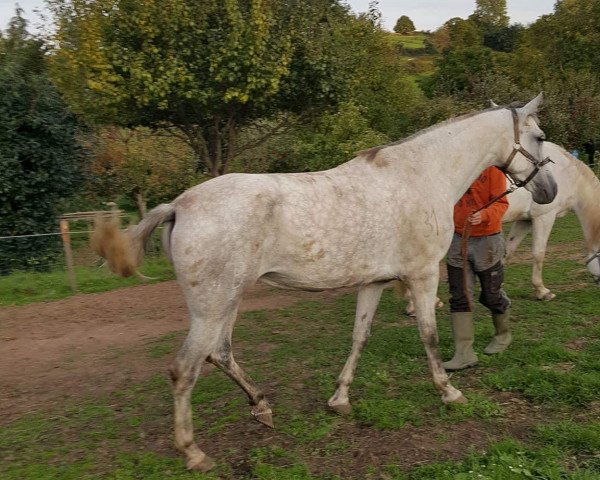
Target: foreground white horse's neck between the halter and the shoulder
{"points": [[456, 152]]}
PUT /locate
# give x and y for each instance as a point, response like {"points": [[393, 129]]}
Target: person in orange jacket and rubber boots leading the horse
{"points": [[485, 252]]}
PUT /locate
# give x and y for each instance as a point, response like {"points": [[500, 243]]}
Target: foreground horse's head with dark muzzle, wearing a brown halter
{"points": [[525, 164]]}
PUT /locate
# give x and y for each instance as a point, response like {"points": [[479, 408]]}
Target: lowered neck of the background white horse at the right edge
{"points": [[587, 207]]}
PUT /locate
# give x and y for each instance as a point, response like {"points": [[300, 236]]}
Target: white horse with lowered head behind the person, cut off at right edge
{"points": [[578, 190]]}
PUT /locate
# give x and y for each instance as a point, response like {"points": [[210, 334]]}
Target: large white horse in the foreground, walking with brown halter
{"points": [[386, 214]]}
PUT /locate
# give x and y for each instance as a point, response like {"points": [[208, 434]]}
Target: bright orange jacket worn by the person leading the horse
{"points": [[490, 183]]}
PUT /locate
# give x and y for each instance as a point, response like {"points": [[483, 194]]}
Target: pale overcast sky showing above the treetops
{"points": [[425, 14]]}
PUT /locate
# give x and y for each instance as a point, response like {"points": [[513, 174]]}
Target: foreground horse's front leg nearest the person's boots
{"points": [[424, 296]]}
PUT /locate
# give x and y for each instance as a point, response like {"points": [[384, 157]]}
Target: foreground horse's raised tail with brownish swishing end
{"points": [[124, 251]]}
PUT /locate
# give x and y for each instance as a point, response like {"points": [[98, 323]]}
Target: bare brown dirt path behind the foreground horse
{"points": [[50, 352]]}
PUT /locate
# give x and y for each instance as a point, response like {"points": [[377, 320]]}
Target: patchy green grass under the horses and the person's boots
{"points": [[534, 411]]}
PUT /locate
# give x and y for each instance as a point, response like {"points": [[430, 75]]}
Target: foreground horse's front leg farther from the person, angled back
{"points": [[367, 301]]}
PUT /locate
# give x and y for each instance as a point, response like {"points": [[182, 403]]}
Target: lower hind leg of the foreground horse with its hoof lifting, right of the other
{"points": [[222, 357]]}
